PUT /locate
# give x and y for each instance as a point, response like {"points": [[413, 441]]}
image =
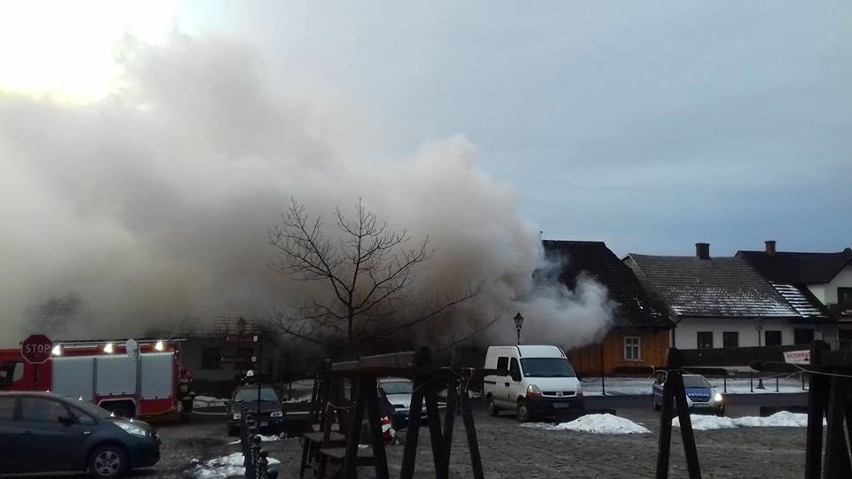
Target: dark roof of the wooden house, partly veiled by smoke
{"points": [[595, 259]]}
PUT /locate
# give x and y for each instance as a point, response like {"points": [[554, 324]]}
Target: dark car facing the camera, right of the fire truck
{"points": [[271, 410]]}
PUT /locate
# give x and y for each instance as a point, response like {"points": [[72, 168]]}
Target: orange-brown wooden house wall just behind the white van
{"points": [[605, 357]]}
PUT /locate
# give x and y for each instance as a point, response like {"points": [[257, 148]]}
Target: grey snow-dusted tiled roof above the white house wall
{"points": [[717, 287]]}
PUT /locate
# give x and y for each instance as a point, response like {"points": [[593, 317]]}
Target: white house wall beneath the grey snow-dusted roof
{"points": [[686, 331]]}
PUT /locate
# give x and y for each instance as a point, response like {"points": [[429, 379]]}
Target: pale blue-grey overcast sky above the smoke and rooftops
{"points": [[649, 125]]}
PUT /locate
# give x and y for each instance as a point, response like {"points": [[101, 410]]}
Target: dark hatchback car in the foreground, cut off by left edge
{"points": [[44, 432]]}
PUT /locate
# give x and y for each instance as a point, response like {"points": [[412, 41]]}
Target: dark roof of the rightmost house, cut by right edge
{"points": [[798, 268]]}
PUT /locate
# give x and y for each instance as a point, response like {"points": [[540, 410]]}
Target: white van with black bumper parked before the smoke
{"points": [[540, 381]]}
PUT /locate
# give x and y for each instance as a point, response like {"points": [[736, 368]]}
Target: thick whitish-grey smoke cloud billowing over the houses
{"points": [[153, 204]]}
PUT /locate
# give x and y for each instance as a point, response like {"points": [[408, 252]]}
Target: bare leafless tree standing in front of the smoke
{"points": [[366, 274]]}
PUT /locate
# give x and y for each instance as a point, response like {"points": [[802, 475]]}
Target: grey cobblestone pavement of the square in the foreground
{"points": [[510, 451]]}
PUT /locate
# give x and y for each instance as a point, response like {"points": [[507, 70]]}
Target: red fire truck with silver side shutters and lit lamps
{"points": [[144, 383]]}
